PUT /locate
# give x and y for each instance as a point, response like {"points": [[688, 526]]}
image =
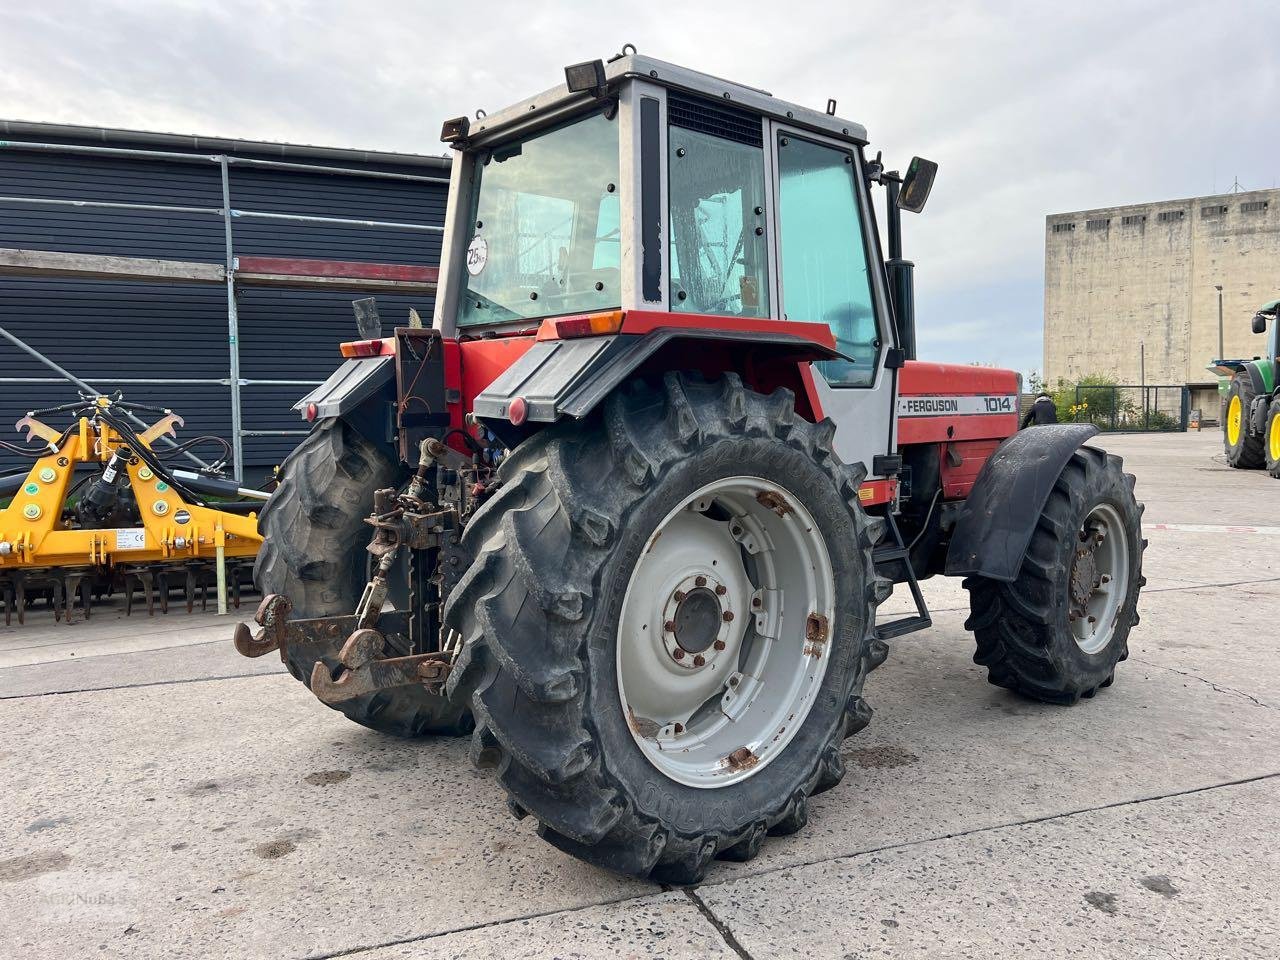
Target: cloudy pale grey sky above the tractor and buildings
{"points": [[1028, 112]]}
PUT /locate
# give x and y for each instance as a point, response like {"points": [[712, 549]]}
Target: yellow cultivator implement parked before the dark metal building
{"points": [[102, 513]]}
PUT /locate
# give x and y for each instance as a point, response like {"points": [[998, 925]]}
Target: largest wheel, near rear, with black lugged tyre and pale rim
{"points": [[668, 625]]}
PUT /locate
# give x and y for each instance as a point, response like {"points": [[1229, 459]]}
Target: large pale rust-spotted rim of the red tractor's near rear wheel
{"points": [[725, 633]]}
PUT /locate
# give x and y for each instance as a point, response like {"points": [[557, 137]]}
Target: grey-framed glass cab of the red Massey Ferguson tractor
{"points": [[643, 196]]}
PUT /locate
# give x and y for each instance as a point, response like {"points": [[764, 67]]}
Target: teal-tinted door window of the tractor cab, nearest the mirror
{"points": [[826, 277]]}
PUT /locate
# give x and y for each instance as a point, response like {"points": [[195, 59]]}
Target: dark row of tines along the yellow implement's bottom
{"points": [[71, 593]]}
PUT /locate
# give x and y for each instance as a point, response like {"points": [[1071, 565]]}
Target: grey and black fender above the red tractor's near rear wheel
{"points": [[570, 378]]}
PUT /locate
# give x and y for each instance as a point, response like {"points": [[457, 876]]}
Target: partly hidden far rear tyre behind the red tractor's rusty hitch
{"points": [[314, 554]]}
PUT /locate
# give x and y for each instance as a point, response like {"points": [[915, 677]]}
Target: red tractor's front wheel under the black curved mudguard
{"points": [[1058, 632]]}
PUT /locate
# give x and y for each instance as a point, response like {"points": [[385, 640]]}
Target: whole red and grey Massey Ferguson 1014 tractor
{"points": [[627, 510]]}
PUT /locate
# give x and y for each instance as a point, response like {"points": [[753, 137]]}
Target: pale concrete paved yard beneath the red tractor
{"points": [[166, 798]]}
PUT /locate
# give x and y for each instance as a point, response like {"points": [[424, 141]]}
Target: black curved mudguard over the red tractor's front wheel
{"points": [[999, 516]]}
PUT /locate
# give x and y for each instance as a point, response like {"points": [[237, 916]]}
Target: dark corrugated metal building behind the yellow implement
{"points": [[296, 218]]}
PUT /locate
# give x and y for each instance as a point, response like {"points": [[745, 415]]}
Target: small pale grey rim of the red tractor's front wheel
{"points": [[1100, 579]]}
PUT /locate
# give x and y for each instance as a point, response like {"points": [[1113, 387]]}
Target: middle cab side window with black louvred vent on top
{"points": [[716, 189]]}
